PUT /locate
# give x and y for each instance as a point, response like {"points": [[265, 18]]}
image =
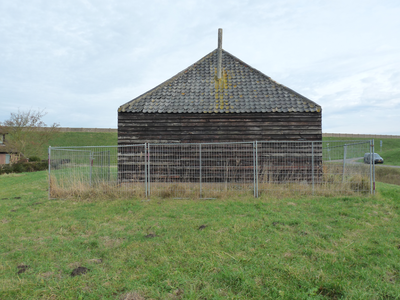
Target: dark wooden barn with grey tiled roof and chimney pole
{"points": [[221, 99]]}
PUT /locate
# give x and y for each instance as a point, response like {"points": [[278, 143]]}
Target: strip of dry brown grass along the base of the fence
{"points": [[330, 182]]}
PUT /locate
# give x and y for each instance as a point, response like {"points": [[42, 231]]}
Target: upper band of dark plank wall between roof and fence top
{"points": [[138, 128]]}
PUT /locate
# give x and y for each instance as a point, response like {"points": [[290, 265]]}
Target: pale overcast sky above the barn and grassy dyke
{"points": [[81, 59]]}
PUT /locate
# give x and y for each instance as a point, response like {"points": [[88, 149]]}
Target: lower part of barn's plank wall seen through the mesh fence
{"points": [[277, 162]]}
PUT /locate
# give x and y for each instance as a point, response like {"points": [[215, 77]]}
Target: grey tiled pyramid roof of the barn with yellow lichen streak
{"points": [[241, 89]]}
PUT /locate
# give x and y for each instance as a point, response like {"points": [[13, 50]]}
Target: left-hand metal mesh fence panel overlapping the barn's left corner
{"points": [[107, 170]]}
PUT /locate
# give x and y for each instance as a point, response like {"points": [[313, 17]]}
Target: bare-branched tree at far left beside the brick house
{"points": [[27, 133]]}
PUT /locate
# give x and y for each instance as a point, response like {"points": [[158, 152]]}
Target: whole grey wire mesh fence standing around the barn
{"points": [[209, 170]]}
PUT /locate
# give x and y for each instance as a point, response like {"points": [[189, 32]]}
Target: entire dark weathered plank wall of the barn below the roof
{"points": [[224, 162]]}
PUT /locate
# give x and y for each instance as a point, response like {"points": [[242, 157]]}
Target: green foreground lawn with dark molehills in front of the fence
{"points": [[303, 248]]}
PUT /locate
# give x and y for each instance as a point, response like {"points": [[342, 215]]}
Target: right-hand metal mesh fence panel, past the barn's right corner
{"points": [[313, 167]]}
